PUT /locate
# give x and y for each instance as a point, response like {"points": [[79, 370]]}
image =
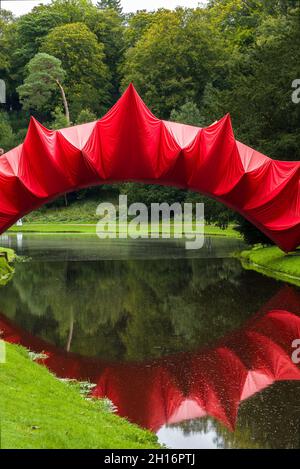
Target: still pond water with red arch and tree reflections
{"points": [[184, 343]]}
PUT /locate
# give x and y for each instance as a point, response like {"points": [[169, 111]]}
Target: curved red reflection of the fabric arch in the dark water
{"points": [[209, 382]]}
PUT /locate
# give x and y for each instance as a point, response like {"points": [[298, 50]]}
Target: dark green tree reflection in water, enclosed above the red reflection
{"points": [[134, 309]]}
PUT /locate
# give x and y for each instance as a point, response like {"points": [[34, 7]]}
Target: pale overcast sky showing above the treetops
{"points": [[19, 7]]}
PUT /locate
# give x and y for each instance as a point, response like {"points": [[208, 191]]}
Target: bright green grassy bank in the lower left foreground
{"points": [[39, 411]]}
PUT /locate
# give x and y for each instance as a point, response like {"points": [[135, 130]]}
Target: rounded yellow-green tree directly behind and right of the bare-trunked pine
{"points": [[87, 75]]}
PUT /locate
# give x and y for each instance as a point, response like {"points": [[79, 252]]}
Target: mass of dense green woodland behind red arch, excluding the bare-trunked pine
{"points": [[190, 65]]}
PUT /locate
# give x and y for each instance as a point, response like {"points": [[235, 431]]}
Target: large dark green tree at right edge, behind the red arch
{"points": [[256, 84]]}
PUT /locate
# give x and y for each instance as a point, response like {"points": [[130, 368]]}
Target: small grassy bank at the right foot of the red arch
{"points": [[273, 262]]}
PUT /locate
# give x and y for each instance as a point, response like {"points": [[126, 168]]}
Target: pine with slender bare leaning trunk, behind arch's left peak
{"points": [[45, 74]]}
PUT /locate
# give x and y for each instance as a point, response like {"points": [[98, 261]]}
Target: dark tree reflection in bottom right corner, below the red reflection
{"points": [[270, 419]]}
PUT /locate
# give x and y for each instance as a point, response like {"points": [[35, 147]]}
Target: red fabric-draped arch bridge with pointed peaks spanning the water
{"points": [[129, 143]]}
